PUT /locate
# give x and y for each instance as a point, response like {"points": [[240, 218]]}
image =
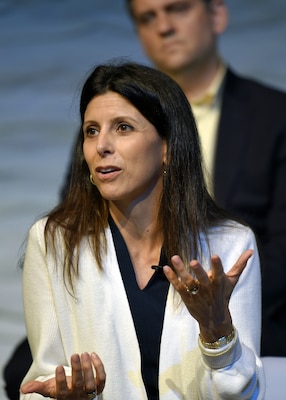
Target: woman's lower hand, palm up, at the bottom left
{"points": [[73, 387]]}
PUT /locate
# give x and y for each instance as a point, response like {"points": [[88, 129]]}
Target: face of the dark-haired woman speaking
{"points": [[123, 150]]}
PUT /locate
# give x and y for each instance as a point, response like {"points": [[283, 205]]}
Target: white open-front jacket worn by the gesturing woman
{"points": [[98, 318]]}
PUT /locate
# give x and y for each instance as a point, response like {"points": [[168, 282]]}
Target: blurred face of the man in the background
{"points": [[175, 34]]}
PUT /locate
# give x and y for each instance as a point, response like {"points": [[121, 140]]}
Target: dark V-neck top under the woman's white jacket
{"points": [[147, 308]]}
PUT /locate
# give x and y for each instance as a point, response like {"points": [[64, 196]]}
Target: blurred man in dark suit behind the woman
{"points": [[242, 127]]}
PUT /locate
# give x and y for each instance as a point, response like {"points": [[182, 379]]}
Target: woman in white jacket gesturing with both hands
{"points": [[99, 317]]}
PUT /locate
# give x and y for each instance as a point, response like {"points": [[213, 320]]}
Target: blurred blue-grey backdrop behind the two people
{"points": [[47, 49]]}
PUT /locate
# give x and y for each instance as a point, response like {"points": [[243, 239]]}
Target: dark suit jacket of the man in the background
{"points": [[250, 181]]}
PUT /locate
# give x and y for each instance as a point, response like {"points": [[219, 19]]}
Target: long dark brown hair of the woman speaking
{"points": [[186, 209]]}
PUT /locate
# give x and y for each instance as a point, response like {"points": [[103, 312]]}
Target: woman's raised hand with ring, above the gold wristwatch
{"points": [[209, 304]]}
